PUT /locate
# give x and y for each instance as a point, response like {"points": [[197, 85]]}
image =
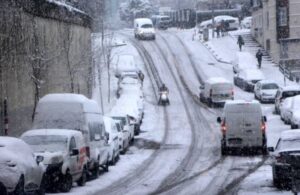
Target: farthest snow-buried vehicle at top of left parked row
{"points": [[125, 64]]}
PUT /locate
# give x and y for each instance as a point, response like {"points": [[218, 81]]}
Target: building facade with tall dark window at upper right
{"points": [[276, 26]]}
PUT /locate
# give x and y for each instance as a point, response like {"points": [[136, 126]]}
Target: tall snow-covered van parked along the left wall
{"points": [[74, 111]]}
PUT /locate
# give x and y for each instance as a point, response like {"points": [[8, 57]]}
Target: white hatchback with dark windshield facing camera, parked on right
{"points": [[265, 90]]}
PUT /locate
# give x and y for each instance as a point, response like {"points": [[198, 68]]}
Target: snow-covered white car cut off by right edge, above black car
{"points": [[289, 106]]}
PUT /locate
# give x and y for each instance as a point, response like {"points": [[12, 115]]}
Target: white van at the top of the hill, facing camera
{"points": [[143, 29]]}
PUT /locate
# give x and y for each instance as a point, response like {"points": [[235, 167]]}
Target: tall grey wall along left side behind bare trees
{"points": [[40, 52]]}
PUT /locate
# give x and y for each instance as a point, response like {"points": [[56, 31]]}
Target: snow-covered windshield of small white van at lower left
{"points": [[49, 143]]}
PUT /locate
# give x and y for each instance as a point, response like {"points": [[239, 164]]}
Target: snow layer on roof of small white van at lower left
{"points": [[60, 132]]}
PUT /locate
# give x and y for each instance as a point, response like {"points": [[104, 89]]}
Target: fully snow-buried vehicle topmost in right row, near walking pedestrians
{"points": [[242, 61]]}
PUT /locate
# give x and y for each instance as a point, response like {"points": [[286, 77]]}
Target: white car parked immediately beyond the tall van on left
{"points": [[113, 141]]}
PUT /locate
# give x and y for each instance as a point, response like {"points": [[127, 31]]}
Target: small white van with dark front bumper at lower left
{"points": [[64, 153]]}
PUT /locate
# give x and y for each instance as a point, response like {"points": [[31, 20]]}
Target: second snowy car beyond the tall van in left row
{"points": [[124, 136]]}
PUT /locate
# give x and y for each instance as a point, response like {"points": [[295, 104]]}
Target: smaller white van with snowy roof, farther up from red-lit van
{"points": [[216, 91]]}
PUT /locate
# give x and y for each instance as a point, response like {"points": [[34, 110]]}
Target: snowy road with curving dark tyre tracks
{"points": [[185, 156]]}
